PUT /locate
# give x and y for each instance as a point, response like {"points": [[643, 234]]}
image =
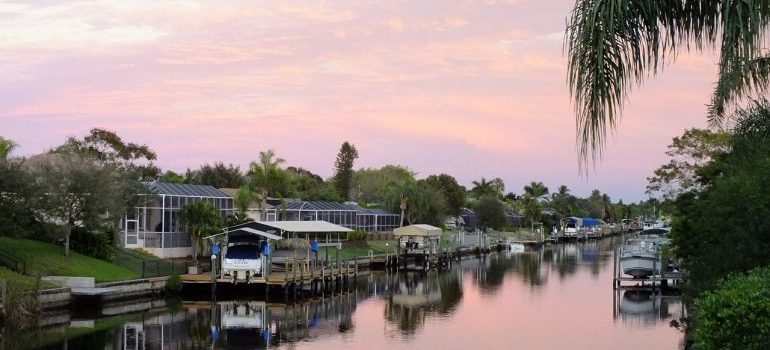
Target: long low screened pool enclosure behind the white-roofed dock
{"points": [[353, 217]]}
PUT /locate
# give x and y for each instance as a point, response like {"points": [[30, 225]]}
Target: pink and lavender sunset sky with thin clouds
{"points": [[469, 88]]}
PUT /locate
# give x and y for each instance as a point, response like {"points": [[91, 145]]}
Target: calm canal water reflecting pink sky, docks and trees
{"points": [[556, 297]]}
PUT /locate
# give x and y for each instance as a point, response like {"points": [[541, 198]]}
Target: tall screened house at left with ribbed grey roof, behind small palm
{"points": [[154, 224]]}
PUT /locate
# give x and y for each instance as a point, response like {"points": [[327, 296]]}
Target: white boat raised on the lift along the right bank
{"points": [[640, 257]]}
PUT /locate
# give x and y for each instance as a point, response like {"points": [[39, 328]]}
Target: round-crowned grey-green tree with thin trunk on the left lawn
{"points": [[78, 192]]}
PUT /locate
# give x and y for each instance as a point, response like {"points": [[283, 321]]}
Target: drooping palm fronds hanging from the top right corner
{"points": [[613, 45]]}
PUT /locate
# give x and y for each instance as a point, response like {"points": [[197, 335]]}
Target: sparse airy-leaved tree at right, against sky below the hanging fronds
{"points": [[689, 152]]}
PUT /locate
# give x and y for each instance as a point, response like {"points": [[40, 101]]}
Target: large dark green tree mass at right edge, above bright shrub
{"points": [[730, 207]]}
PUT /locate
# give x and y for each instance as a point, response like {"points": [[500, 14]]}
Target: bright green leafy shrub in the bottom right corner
{"points": [[736, 315]]}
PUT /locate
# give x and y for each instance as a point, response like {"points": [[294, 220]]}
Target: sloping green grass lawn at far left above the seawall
{"points": [[43, 259]]}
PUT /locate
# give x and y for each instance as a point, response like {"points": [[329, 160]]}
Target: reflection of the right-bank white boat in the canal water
{"points": [[645, 308]]}
